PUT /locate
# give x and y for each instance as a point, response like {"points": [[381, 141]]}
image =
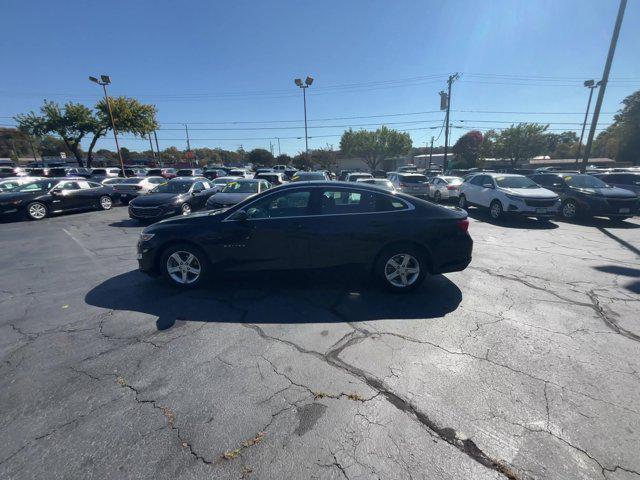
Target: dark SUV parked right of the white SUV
{"points": [[585, 195]]}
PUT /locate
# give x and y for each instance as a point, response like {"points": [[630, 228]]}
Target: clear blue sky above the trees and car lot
{"points": [[210, 63]]}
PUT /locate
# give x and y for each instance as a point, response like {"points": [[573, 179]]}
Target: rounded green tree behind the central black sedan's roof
{"points": [[374, 147]]}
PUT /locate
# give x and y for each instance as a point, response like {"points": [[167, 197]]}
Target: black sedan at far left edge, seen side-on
{"points": [[41, 198]]}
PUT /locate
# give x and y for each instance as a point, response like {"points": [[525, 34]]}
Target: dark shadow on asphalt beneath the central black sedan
{"points": [[299, 297]]}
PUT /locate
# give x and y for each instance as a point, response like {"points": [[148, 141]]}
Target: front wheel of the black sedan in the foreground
{"points": [[184, 266]]}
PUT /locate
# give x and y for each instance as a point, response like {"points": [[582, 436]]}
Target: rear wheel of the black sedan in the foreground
{"points": [[401, 268]]}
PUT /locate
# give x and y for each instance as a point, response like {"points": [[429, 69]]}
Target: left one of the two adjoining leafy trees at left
{"points": [[72, 123]]}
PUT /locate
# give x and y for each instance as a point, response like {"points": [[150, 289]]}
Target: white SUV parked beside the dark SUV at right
{"points": [[504, 193]]}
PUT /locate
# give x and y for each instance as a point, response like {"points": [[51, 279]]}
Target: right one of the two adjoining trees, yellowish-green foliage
{"points": [[129, 116]]}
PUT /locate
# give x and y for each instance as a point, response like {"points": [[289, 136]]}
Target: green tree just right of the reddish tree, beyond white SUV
{"points": [[521, 142]]}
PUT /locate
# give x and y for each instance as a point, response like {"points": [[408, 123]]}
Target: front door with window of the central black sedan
{"points": [[274, 236]]}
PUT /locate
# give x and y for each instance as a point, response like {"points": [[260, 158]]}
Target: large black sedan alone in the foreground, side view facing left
{"points": [[310, 225]]}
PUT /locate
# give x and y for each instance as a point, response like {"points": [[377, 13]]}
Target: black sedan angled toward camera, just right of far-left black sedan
{"points": [[180, 195]]}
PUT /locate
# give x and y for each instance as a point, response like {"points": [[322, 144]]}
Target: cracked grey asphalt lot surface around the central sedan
{"points": [[526, 365]]}
